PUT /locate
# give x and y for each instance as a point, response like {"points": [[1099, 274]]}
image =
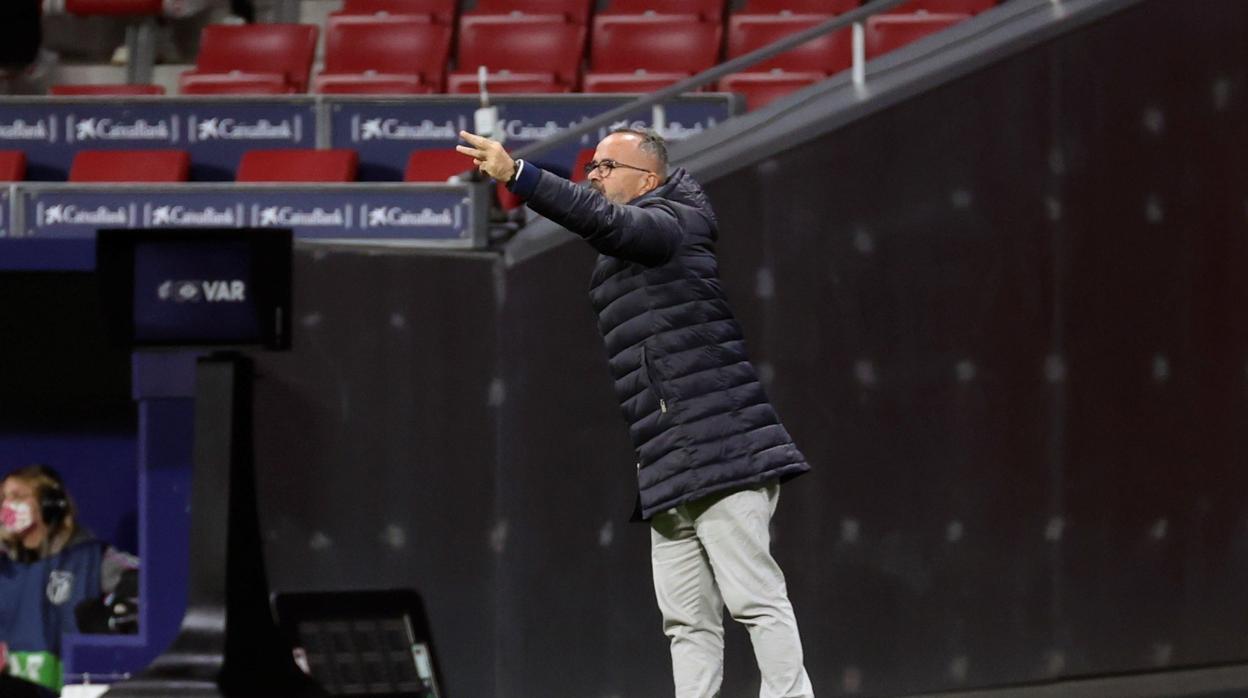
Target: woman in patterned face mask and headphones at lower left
{"points": [[49, 566]]}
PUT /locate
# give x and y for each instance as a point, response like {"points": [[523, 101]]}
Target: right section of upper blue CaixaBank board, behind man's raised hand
{"points": [[385, 132]]}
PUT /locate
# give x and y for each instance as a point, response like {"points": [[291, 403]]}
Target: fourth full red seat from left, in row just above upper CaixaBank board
{"points": [[655, 43]]}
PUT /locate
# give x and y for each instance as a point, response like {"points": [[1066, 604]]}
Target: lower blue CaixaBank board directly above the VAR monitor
{"points": [[54, 227]]}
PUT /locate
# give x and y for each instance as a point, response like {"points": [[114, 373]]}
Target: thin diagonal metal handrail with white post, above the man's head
{"points": [[841, 22]]}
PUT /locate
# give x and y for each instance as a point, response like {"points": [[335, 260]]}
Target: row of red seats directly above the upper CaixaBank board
{"points": [[526, 53]]}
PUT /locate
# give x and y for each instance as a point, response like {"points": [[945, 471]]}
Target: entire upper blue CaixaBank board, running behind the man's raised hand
{"points": [[217, 132]]}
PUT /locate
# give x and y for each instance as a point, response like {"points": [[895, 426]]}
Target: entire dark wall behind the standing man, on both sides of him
{"points": [[1004, 320]]}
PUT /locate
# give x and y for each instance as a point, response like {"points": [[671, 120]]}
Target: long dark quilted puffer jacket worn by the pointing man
{"points": [[698, 416]]}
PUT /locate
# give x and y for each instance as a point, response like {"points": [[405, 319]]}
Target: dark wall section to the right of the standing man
{"points": [[1005, 322]]}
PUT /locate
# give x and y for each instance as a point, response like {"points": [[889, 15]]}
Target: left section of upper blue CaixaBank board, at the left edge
{"points": [[214, 132]]}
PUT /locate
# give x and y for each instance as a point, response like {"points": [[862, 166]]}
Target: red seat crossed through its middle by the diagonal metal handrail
{"points": [[829, 53]]}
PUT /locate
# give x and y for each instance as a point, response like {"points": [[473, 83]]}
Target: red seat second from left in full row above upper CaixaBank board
{"points": [[390, 56]]}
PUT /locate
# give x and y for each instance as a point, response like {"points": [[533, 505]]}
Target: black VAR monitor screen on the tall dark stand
{"points": [[210, 288]]}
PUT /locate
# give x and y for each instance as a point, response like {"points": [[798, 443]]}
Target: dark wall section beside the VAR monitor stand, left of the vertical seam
{"points": [[378, 448]]}
